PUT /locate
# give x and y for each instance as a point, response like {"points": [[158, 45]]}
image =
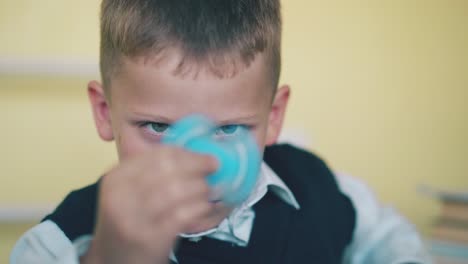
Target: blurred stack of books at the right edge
{"points": [[449, 235]]}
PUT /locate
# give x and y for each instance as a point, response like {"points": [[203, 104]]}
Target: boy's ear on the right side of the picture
{"points": [[277, 112]]}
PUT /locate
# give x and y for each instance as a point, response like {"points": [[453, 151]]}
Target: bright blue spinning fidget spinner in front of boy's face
{"points": [[238, 156]]}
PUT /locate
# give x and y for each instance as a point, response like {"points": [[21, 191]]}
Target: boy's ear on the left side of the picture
{"points": [[101, 110]]}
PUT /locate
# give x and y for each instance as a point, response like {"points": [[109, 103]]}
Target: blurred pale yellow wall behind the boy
{"points": [[379, 90]]}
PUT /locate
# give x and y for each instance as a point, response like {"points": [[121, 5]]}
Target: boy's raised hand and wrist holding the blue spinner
{"points": [[145, 202]]}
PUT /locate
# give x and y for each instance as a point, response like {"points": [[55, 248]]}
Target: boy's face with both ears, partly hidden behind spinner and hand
{"points": [[147, 96]]}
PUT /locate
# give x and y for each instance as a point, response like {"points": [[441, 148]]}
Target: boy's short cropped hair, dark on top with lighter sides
{"points": [[212, 32]]}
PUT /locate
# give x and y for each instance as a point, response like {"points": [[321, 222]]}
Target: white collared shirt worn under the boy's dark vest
{"points": [[381, 235]]}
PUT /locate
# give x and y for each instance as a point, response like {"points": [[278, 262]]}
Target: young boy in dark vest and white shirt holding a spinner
{"points": [[160, 61]]}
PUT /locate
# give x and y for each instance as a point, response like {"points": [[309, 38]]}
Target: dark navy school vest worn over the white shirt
{"points": [[317, 233]]}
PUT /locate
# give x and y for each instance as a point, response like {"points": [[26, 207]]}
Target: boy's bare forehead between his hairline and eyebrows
{"points": [[154, 83]]}
